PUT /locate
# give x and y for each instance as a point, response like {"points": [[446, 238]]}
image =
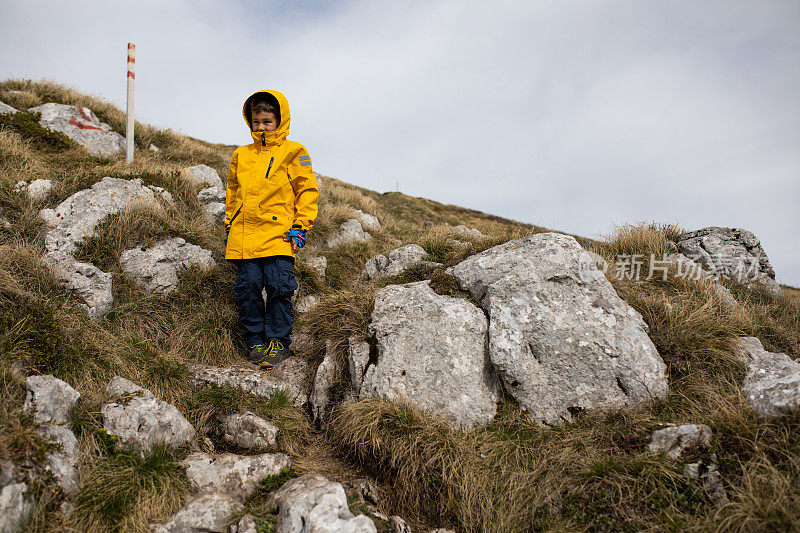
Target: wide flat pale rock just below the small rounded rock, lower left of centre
{"points": [[235, 475]]}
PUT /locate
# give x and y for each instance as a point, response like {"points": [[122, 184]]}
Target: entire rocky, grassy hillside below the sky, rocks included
{"points": [[453, 370]]}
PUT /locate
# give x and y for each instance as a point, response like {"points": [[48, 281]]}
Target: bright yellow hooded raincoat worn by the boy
{"points": [[271, 186]]}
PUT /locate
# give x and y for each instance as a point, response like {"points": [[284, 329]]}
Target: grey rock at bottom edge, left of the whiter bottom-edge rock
{"points": [[207, 513]]}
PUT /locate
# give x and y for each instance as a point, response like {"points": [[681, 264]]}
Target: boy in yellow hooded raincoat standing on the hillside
{"points": [[271, 203]]}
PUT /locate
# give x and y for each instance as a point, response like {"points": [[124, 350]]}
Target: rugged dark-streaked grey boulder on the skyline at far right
{"points": [[733, 253]]}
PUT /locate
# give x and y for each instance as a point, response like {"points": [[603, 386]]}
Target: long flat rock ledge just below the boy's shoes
{"points": [[287, 376]]}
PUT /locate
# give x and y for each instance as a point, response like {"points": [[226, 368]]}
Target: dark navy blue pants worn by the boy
{"points": [[274, 321]]}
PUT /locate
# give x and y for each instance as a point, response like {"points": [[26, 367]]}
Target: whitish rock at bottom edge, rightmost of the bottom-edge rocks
{"points": [[312, 503]]}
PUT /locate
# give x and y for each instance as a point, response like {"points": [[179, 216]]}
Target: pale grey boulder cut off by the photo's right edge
{"points": [[772, 383]]}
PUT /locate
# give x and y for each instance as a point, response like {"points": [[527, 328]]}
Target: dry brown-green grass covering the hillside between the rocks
{"points": [[591, 474]]}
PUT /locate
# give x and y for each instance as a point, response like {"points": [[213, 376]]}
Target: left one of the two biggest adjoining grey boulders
{"points": [[431, 351]]}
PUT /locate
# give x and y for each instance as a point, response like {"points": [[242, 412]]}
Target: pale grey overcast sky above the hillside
{"points": [[575, 115]]}
